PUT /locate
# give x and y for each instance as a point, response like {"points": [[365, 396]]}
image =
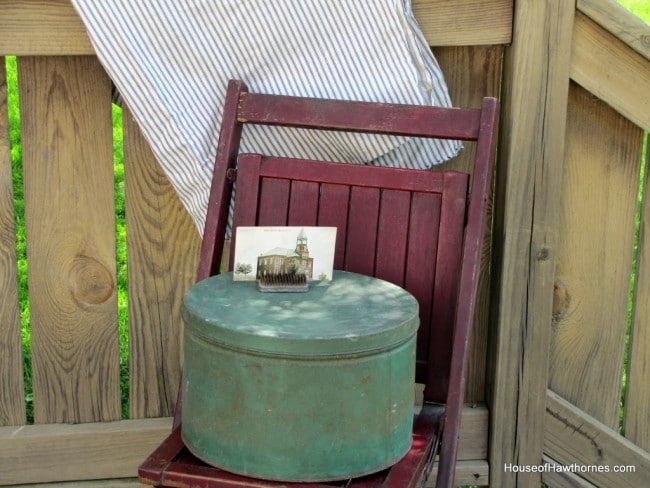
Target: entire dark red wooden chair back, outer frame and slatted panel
{"points": [[423, 230]]}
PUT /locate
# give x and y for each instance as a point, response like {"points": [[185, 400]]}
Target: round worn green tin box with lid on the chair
{"points": [[299, 386]]}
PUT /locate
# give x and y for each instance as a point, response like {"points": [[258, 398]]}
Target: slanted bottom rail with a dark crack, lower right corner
{"points": [[573, 437]]}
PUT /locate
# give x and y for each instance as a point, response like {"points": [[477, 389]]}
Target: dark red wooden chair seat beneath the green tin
{"points": [[172, 464]]}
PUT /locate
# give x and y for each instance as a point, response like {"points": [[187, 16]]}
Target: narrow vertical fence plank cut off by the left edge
{"points": [[12, 395]]}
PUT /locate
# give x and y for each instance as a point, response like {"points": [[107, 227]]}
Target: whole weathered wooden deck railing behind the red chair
{"points": [[551, 336]]}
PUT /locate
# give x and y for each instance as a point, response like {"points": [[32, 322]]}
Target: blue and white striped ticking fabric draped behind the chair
{"points": [[171, 61]]}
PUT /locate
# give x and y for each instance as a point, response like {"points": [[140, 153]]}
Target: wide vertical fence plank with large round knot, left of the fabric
{"points": [[69, 208]]}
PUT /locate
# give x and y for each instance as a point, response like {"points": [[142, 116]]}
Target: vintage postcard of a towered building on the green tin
{"points": [[272, 251]]}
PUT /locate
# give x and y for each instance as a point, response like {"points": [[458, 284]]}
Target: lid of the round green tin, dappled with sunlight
{"points": [[352, 314]]}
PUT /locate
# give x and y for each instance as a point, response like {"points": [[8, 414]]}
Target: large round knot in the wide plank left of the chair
{"points": [[90, 281]]}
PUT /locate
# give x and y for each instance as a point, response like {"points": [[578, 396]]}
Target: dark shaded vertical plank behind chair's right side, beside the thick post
{"points": [[471, 73]]}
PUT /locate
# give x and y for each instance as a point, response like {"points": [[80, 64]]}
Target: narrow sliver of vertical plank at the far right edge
{"points": [[637, 402]]}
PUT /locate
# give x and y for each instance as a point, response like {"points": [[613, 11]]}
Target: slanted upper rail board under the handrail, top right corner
{"points": [[624, 84]]}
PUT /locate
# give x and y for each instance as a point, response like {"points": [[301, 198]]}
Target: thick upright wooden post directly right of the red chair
{"points": [[529, 172]]}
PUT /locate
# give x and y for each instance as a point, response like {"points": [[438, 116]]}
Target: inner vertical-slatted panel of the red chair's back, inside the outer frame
{"points": [[403, 226]]}
